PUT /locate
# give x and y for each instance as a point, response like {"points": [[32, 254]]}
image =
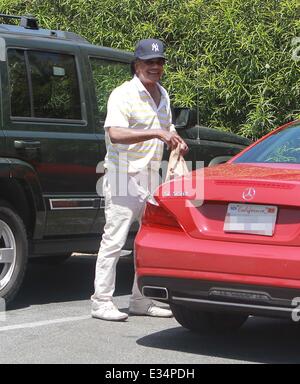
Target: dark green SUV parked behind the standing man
{"points": [[54, 89]]}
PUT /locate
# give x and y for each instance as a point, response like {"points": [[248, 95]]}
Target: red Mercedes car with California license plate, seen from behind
{"points": [[224, 242]]}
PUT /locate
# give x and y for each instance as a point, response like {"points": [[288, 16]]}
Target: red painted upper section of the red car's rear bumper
{"points": [[172, 253]]}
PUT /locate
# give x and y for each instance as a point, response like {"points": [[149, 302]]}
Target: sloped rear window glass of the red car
{"points": [[281, 147]]}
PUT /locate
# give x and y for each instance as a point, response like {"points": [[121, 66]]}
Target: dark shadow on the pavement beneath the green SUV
{"points": [[70, 281]]}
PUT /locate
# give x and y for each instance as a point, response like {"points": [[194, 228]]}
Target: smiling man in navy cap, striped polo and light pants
{"points": [[137, 125]]}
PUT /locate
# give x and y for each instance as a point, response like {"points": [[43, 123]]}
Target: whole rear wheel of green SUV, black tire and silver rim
{"points": [[13, 239]]}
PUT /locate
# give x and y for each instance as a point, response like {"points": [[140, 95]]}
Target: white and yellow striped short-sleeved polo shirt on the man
{"points": [[131, 106]]}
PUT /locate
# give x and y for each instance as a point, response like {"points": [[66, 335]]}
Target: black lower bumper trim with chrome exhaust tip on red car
{"points": [[218, 297]]}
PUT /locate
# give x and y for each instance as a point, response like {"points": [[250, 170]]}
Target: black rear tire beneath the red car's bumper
{"points": [[207, 322]]}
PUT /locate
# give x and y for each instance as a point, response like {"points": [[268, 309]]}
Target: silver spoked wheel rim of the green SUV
{"points": [[8, 254]]}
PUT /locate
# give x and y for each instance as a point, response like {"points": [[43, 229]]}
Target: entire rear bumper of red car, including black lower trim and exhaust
{"points": [[218, 276]]}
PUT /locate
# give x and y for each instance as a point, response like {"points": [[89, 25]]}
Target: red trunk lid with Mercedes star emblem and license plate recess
{"points": [[245, 186]]}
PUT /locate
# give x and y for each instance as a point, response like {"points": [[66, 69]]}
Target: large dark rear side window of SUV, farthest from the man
{"points": [[43, 85]]}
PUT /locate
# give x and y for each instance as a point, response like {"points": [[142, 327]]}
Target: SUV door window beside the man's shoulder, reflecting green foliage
{"points": [[107, 76]]}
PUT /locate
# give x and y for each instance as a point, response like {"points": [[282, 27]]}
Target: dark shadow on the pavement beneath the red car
{"points": [[258, 341]]}
